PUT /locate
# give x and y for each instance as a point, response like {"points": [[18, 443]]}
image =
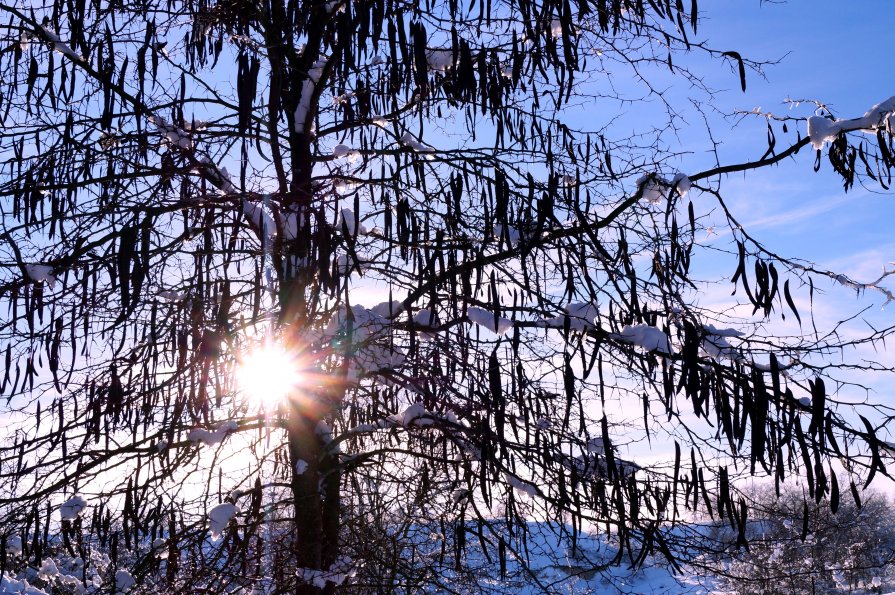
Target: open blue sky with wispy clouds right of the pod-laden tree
{"points": [[834, 52]]}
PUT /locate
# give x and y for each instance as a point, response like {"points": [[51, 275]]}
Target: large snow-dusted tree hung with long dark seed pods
{"points": [[534, 273]]}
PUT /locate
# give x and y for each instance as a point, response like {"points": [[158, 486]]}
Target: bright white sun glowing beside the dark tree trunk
{"points": [[268, 374]]}
